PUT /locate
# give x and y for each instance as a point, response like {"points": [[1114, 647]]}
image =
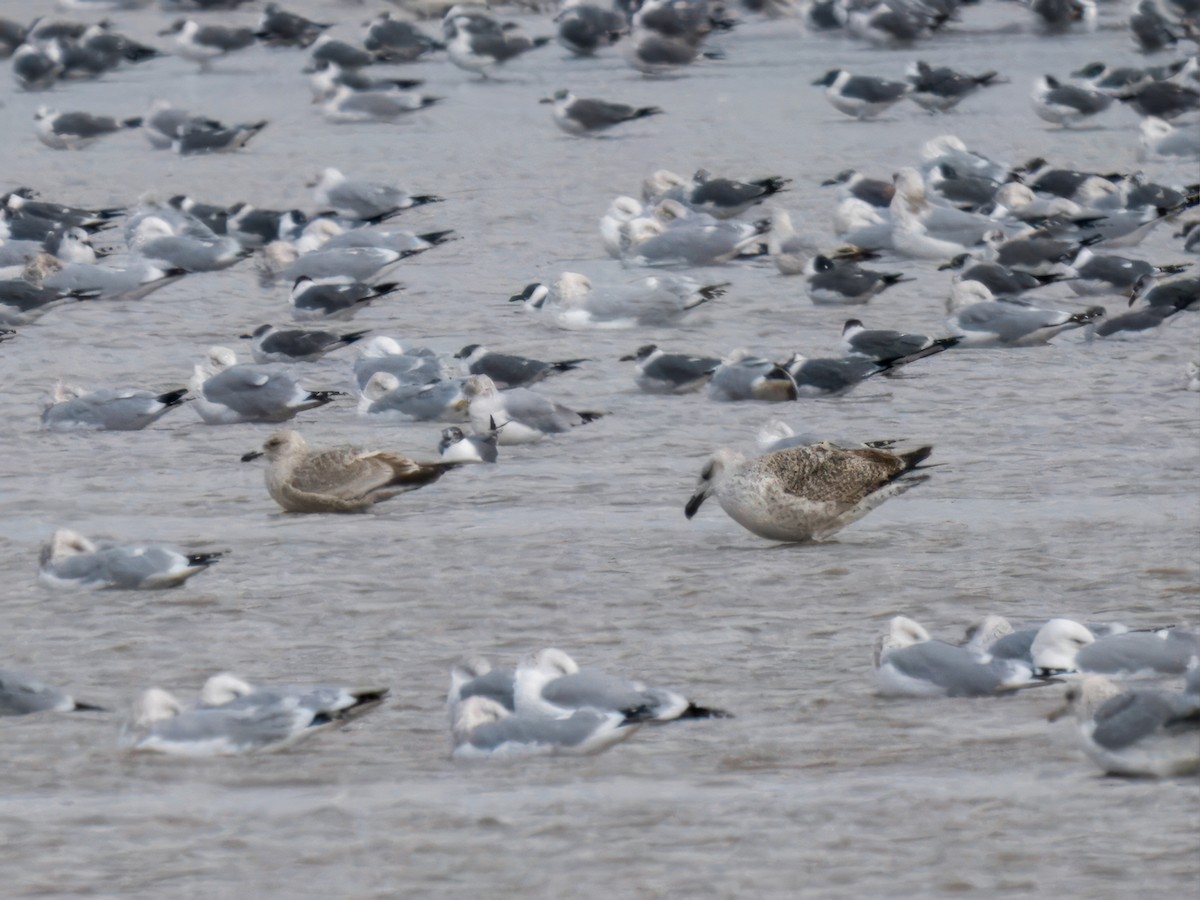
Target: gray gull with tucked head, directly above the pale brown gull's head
{"points": [[227, 393]]}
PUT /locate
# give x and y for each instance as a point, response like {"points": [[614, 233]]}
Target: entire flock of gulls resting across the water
{"points": [[1001, 231]]}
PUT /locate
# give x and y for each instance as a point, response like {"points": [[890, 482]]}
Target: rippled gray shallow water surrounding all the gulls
{"points": [[1069, 488]]}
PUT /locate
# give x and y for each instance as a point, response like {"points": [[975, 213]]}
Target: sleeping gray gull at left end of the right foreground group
{"points": [[911, 664]]}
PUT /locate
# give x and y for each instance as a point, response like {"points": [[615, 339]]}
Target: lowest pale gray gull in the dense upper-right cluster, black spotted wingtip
{"points": [[982, 321]]}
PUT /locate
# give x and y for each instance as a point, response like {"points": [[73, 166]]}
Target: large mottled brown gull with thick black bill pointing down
{"points": [[805, 494]]}
